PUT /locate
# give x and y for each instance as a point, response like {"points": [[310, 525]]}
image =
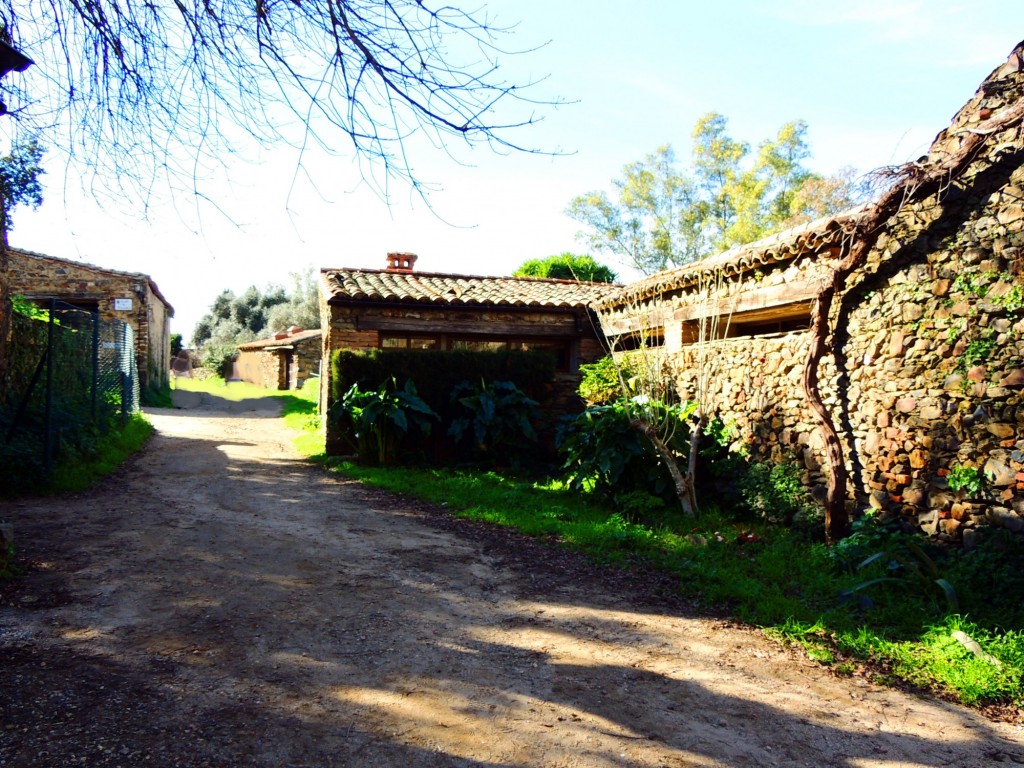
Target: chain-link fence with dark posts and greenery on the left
{"points": [[71, 377]]}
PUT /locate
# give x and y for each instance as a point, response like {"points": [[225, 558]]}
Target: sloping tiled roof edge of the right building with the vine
{"points": [[784, 246]]}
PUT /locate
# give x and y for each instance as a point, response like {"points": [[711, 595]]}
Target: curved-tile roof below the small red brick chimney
{"points": [[428, 288]]}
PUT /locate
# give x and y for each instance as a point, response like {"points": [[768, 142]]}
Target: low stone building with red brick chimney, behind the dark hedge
{"points": [[401, 309]]}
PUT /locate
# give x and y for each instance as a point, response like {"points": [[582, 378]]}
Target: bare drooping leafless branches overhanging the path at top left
{"points": [[148, 92]]}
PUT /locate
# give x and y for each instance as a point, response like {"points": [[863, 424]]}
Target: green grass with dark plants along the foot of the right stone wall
{"points": [[785, 582]]}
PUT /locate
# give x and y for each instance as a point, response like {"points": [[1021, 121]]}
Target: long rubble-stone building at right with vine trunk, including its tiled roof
{"points": [[925, 381]]}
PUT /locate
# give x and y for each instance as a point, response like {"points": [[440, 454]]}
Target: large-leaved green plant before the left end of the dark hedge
{"points": [[377, 420]]}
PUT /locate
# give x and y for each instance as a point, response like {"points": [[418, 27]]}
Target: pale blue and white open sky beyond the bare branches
{"points": [[875, 81]]}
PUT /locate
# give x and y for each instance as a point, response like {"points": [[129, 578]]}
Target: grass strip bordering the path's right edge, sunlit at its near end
{"points": [[763, 575]]}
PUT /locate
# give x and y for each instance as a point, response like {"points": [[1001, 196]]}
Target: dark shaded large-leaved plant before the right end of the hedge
{"points": [[499, 420]]}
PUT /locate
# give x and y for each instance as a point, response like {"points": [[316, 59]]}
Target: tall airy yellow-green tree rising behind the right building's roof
{"points": [[663, 217]]}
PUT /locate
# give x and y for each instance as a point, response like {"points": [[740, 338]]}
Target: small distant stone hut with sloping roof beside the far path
{"points": [[284, 362]]}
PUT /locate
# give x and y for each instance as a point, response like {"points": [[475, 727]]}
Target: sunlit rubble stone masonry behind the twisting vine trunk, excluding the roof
{"points": [[927, 382]]}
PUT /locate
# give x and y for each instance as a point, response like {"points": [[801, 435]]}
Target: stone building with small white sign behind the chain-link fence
{"points": [[131, 297]]}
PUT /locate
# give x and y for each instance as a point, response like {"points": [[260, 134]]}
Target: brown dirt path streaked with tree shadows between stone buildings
{"points": [[221, 604]]}
